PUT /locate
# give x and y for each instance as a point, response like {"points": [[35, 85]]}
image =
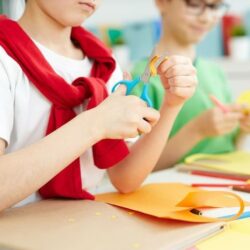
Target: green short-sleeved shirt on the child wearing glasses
{"points": [[211, 81]]}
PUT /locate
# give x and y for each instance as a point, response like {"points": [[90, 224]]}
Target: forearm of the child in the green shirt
{"points": [[179, 145]]}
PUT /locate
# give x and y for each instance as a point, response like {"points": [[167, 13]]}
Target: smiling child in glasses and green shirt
{"points": [[200, 126]]}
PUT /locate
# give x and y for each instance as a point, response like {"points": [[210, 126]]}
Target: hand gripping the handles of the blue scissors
{"points": [[121, 117]]}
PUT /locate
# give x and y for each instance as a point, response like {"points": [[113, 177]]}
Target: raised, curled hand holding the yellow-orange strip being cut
{"points": [[179, 79]]}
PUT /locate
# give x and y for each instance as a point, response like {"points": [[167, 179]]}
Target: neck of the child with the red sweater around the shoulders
{"points": [[48, 32]]}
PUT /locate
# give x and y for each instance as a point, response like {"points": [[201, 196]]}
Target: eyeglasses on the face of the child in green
{"points": [[198, 7]]}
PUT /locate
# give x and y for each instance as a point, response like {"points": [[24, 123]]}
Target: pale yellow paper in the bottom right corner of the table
{"points": [[235, 236]]}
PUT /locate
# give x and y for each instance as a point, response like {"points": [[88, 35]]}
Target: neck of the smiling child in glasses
{"points": [[170, 44]]}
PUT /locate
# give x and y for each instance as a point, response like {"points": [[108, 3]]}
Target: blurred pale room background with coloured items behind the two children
{"points": [[132, 27]]}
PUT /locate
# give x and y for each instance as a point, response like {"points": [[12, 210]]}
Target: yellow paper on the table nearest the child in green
{"points": [[236, 162]]}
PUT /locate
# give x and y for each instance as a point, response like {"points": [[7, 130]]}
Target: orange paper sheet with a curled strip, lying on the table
{"points": [[172, 201]]}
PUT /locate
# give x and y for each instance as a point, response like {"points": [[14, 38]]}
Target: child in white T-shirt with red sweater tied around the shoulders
{"points": [[59, 129]]}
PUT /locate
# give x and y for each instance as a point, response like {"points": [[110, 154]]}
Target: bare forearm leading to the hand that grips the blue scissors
{"points": [[25, 171]]}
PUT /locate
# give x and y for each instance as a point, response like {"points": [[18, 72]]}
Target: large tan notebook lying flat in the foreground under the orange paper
{"points": [[77, 225]]}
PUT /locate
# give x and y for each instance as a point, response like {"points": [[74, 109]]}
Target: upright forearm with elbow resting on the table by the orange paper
{"points": [[131, 172]]}
